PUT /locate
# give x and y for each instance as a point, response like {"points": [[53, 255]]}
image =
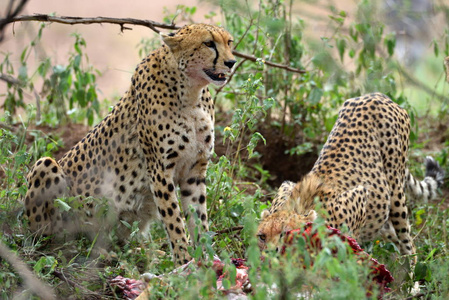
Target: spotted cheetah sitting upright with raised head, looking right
{"points": [[158, 137]]}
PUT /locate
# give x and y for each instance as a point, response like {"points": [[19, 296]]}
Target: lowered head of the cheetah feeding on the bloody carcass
{"points": [[272, 227]]}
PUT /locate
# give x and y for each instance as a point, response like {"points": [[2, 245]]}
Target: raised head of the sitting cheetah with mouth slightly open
{"points": [[203, 52]]}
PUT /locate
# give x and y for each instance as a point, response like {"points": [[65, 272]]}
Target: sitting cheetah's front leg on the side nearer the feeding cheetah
{"points": [[193, 195]]}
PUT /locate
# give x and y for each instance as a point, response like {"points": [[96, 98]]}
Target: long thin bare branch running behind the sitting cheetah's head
{"points": [[129, 21]]}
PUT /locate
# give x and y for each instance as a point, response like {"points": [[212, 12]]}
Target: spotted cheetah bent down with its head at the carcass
{"points": [[360, 178]]}
